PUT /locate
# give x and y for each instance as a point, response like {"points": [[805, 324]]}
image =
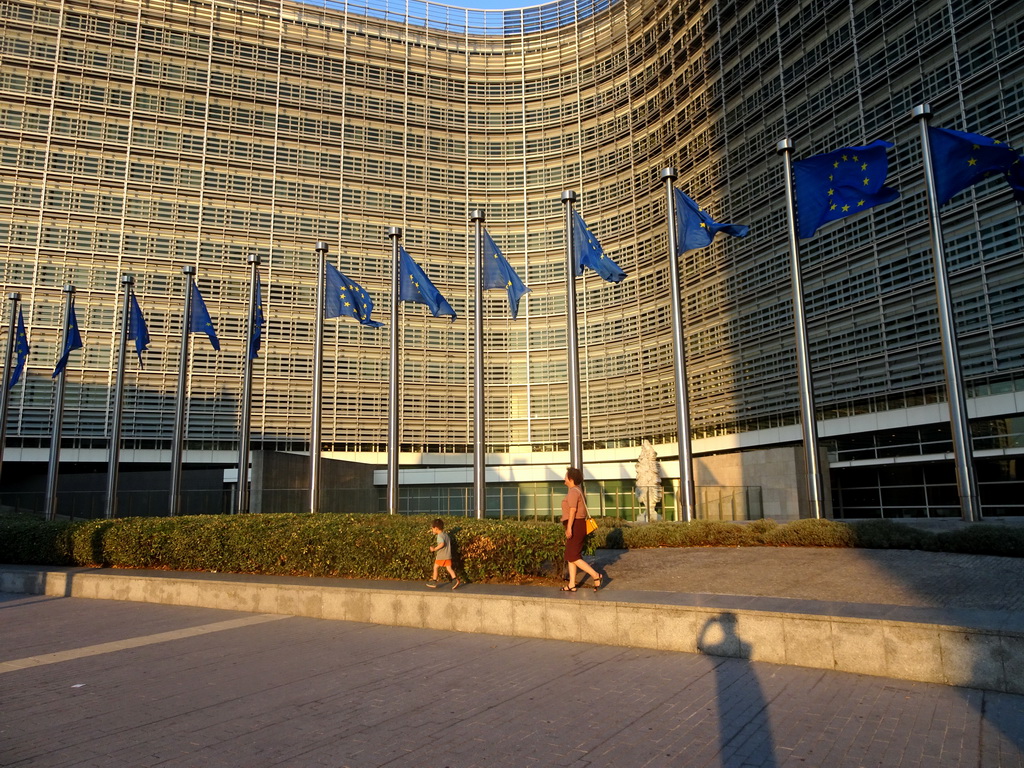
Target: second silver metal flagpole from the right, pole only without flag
{"points": [[808, 415]]}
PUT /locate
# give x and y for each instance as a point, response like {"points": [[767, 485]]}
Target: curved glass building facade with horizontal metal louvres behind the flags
{"points": [[140, 137]]}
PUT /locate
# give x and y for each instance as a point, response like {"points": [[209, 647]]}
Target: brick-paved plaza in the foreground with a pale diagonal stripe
{"points": [[105, 684]]}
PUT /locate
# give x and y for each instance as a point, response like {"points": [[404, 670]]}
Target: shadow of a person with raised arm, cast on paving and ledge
{"points": [[745, 729]]}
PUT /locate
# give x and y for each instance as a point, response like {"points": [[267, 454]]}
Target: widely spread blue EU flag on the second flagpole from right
{"points": [[841, 184]]}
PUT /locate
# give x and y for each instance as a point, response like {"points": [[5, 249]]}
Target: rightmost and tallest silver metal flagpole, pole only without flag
{"points": [[960, 425]]}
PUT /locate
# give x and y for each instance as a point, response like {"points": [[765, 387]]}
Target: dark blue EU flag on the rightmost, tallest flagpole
{"points": [[963, 159]]}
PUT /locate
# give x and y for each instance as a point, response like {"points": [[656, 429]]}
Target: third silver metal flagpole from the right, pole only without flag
{"points": [[687, 505]]}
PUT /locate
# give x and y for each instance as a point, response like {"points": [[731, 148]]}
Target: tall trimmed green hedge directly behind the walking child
{"points": [[357, 546]]}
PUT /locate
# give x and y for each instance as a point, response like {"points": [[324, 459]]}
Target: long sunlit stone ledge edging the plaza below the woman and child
{"points": [[987, 656]]}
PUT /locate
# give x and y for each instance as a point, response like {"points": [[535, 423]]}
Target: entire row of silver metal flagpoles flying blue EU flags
{"points": [[823, 189]]}
